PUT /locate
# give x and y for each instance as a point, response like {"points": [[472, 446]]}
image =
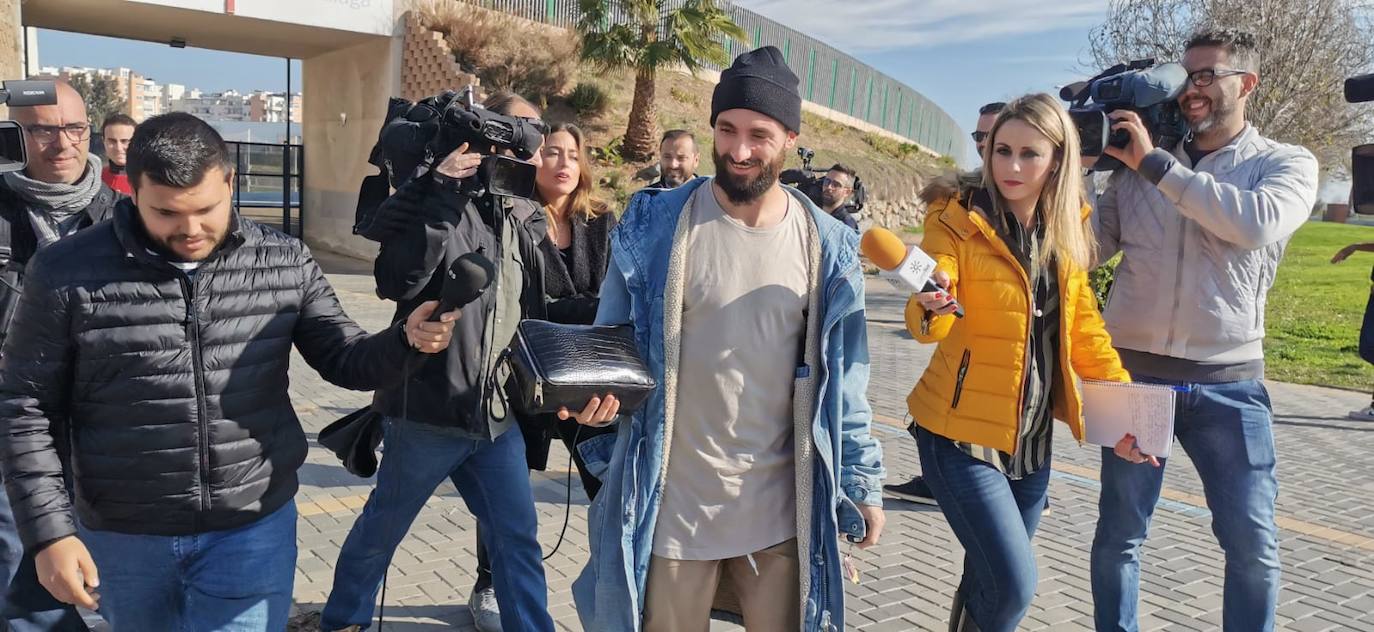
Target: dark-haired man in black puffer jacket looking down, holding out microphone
{"points": [[157, 347]]}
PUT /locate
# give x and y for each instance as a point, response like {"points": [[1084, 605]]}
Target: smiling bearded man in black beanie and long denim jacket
{"points": [[730, 487]]}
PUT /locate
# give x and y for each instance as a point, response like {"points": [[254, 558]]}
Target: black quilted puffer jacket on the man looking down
{"points": [[172, 390]]}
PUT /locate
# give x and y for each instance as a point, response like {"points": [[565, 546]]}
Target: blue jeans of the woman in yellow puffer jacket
{"points": [[994, 517]]}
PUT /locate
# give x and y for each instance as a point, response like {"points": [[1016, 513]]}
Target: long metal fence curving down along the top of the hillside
{"points": [[829, 78]]}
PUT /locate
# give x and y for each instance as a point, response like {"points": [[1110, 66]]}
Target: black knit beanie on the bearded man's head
{"points": [[762, 82]]}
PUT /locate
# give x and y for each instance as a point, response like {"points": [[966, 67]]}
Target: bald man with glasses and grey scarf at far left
{"points": [[57, 194]]}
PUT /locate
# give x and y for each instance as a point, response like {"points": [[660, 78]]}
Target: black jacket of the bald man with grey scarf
{"points": [[19, 244]]}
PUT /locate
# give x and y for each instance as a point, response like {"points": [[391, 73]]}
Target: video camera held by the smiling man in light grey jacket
{"points": [[1141, 87]]}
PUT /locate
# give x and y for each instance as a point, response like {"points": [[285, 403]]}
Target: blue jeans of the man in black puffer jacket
{"points": [[237, 580]]}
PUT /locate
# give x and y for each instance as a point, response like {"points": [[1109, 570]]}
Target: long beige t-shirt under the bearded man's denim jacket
{"points": [[732, 486]]}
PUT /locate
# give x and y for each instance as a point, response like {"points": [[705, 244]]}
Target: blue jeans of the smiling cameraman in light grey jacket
{"points": [[1225, 429]]}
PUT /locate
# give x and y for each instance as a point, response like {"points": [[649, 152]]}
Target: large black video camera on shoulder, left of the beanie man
{"points": [[417, 137]]}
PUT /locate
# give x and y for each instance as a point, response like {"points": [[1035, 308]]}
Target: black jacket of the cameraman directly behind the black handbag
{"points": [[453, 388]]}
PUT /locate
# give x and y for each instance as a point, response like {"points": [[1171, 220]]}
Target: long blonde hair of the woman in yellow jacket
{"points": [[1067, 233]]}
